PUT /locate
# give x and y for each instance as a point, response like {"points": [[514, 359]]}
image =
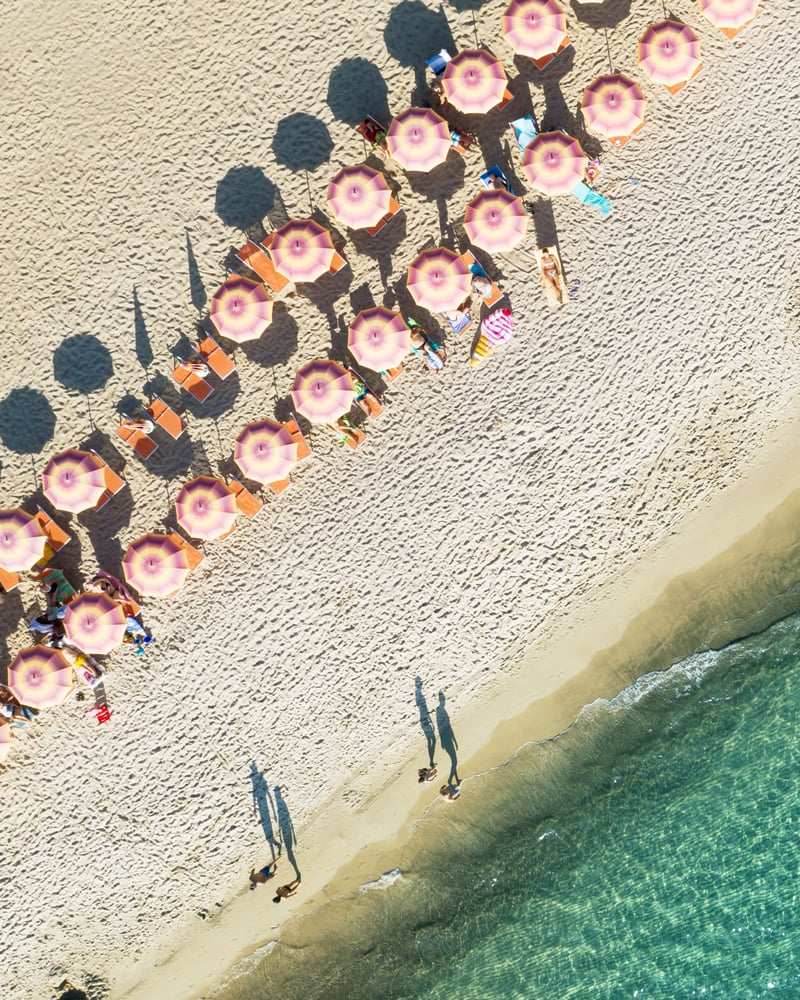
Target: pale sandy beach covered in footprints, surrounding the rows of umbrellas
{"points": [[487, 512]]}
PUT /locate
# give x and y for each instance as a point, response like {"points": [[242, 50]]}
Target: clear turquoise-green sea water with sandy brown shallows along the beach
{"points": [[650, 851]]}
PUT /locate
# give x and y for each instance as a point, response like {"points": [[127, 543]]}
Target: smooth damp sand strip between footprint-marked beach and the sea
{"points": [[737, 554]]}
